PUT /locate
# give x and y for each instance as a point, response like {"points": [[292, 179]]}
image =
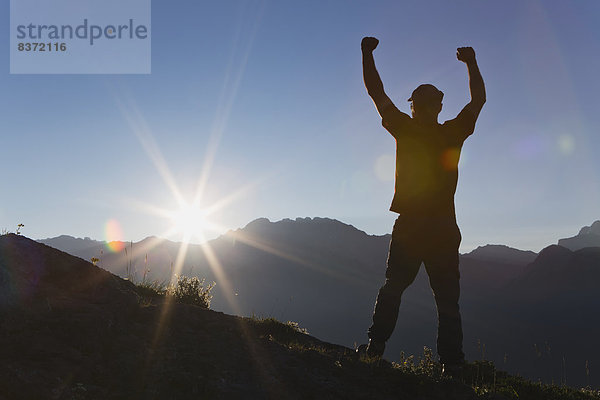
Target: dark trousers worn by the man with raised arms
{"points": [[433, 241]]}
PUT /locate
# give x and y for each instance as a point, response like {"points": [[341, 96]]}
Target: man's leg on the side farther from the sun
{"points": [[442, 268]]}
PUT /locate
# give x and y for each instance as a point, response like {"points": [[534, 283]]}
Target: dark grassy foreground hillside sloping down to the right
{"points": [[70, 330]]}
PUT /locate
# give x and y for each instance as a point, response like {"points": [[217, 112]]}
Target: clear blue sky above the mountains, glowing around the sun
{"points": [[265, 99]]}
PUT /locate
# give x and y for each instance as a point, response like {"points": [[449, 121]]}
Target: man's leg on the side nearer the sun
{"points": [[402, 267]]}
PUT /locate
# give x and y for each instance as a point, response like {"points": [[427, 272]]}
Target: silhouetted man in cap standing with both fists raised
{"points": [[427, 155]]}
